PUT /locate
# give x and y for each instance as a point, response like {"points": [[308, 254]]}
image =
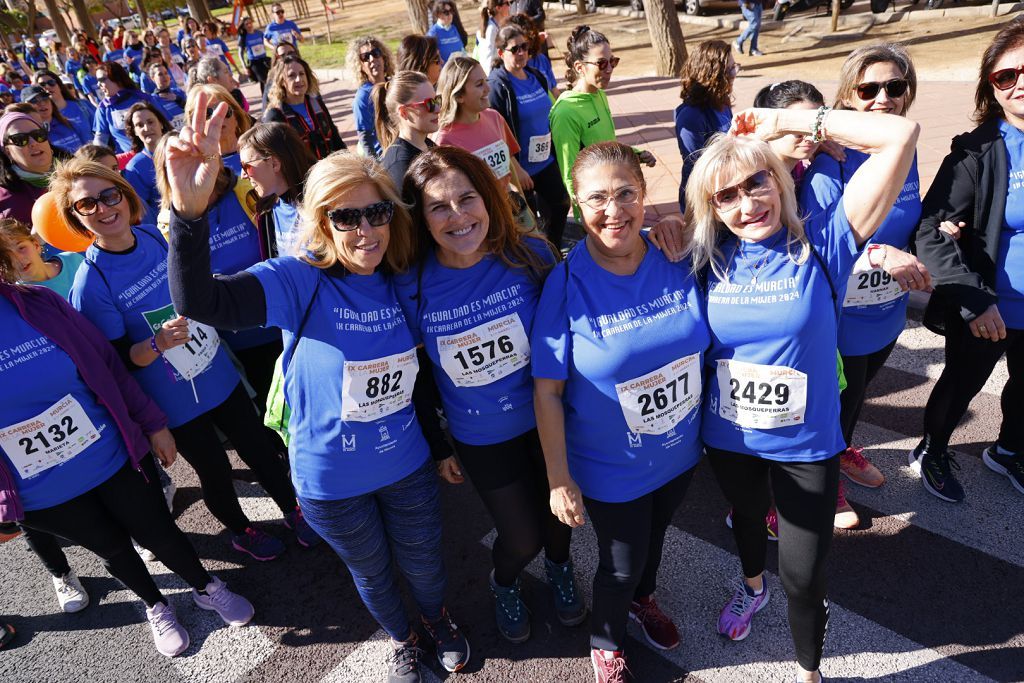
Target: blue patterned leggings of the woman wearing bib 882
{"points": [[404, 520]]}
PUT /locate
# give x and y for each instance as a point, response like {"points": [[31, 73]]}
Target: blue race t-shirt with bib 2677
{"points": [[631, 352]]}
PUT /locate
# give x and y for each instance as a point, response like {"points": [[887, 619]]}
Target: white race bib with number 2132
{"points": [[53, 438]]}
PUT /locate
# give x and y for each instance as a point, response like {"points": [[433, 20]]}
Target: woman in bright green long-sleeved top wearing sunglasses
{"points": [[581, 115]]}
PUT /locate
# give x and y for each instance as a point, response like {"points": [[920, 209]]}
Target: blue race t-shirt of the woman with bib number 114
{"points": [[127, 294]]}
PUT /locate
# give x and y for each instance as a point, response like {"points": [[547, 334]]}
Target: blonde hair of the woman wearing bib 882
{"points": [[329, 182]]}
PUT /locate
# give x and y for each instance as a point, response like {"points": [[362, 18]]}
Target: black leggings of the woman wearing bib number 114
{"points": [[199, 445]]}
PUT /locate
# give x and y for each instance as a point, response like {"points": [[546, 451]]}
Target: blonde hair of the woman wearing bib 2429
{"points": [[727, 160]]}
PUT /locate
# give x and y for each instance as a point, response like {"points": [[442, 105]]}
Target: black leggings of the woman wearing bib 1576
{"points": [[513, 482]]}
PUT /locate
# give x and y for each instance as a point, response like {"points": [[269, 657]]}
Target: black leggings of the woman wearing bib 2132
{"points": [[105, 521]]}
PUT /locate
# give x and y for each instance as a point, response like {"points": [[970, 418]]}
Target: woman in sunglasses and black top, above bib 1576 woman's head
{"points": [[408, 111]]}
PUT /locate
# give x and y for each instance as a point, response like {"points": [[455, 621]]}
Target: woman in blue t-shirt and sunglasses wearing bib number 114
{"points": [[122, 289]]}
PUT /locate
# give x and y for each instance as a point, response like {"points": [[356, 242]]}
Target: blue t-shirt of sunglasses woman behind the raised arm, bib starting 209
{"points": [[874, 307]]}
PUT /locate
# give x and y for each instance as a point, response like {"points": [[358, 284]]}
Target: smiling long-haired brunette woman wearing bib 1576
{"points": [[471, 302]]}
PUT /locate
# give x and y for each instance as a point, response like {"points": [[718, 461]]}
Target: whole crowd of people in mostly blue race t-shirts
{"points": [[410, 311]]}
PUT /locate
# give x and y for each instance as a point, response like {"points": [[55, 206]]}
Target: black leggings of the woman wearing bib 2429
{"points": [[805, 500]]}
